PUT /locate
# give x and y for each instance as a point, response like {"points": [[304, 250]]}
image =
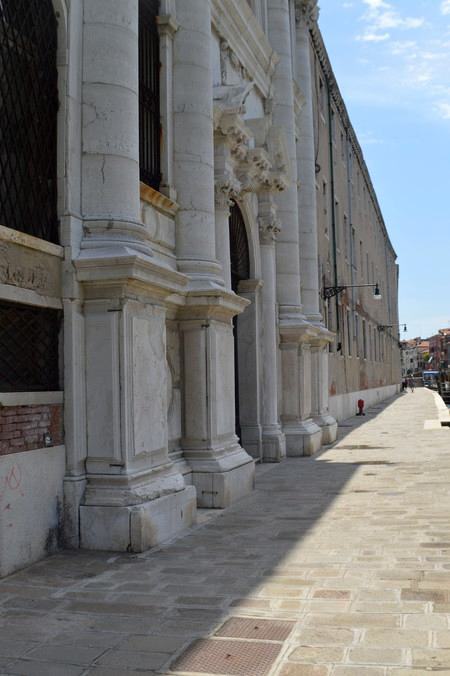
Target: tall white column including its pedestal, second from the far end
{"points": [[302, 436]]}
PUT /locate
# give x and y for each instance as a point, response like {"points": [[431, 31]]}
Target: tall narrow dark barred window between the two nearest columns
{"points": [[149, 115]]}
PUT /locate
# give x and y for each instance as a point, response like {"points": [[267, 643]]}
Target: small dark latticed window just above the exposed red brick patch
{"points": [[28, 348]]}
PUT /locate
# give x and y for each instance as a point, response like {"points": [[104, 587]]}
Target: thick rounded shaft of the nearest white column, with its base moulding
{"points": [[110, 128]]}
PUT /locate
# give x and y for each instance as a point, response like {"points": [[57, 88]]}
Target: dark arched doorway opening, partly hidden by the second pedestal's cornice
{"points": [[240, 271]]}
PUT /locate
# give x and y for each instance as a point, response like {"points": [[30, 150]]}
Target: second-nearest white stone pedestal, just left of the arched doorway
{"points": [[221, 470]]}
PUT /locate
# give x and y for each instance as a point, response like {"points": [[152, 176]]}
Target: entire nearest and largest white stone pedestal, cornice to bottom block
{"points": [[134, 496]]}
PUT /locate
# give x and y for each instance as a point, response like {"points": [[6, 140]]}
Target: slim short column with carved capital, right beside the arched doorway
{"points": [[273, 440]]}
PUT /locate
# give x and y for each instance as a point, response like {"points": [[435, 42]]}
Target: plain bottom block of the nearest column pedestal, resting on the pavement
{"points": [[135, 528]]}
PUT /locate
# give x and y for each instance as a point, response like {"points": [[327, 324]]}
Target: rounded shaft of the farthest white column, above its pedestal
{"points": [[309, 258]]}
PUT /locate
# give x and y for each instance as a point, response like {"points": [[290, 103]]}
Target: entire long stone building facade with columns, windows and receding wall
{"points": [[165, 243]]}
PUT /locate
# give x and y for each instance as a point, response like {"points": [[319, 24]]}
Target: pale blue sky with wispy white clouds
{"points": [[392, 63]]}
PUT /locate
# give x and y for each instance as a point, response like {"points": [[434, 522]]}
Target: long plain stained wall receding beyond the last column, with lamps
{"points": [[354, 252]]}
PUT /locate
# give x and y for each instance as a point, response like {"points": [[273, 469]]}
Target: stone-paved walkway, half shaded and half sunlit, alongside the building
{"points": [[336, 565]]}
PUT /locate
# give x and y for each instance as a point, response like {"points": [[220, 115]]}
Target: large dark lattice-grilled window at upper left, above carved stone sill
{"points": [[28, 117]]}
